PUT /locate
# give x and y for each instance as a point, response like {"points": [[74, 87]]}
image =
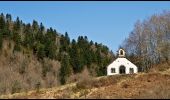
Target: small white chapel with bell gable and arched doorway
{"points": [[121, 65]]}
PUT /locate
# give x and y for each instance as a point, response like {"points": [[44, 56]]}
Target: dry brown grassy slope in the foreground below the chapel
{"points": [[155, 84]]}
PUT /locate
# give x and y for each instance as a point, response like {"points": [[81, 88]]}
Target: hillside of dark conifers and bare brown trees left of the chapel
{"points": [[33, 56]]}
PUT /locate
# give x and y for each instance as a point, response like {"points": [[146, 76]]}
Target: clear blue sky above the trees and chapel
{"points": [[106, 22]]}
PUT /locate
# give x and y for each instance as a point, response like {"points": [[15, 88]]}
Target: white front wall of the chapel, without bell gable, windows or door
{"points": [[121, 61]]}
